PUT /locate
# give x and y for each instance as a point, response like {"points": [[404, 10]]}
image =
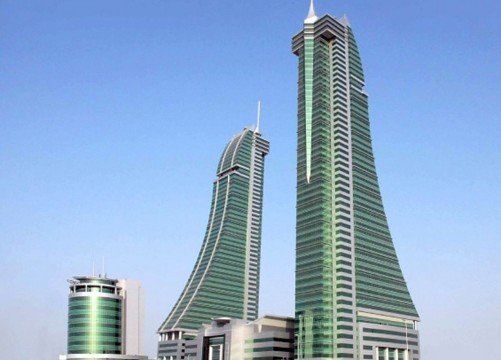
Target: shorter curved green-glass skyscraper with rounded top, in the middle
{"points": [[225, 278]]}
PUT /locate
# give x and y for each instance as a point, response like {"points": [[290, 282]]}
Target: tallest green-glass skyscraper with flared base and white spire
{"points": [[352, 301]]}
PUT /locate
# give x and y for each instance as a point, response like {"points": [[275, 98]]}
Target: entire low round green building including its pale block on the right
{"points": [[104, 319]]}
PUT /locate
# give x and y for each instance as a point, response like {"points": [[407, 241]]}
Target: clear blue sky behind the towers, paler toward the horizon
{"points": [[113, 115]]}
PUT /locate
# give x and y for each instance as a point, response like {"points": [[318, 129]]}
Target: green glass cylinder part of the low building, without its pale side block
{"points": [[94, 316]]}
